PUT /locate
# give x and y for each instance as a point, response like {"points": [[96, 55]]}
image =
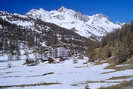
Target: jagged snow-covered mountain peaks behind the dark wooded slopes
{"points": [[96, 25]]}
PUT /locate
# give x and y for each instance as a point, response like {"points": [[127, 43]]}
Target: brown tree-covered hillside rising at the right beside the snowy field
{"points": [[116, 47]]}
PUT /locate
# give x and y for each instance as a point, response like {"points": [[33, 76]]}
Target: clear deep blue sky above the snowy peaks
{"points": [[116, 10]]}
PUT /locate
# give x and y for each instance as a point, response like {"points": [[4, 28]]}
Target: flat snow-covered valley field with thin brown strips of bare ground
{"points": [[64, 75]]}
